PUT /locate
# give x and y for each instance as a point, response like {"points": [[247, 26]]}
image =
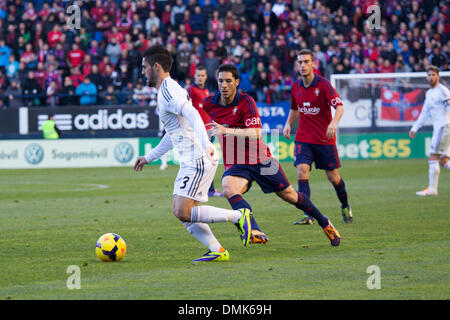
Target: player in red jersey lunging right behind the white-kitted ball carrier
{"points": [[237, 124]]}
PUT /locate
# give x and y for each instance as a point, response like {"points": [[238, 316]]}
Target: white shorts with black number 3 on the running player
{"points": [[194, 179]]}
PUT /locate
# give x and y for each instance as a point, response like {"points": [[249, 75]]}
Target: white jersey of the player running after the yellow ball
{"points": [[171, 100]]}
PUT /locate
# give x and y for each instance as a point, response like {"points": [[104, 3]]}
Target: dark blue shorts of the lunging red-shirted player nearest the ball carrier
{"points": [[270, 177]]}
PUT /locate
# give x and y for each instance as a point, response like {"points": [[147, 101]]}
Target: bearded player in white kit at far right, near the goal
{"points": [[436, 106]]}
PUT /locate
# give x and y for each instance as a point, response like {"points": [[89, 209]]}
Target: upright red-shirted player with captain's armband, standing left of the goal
{"points": [[312, 98]]}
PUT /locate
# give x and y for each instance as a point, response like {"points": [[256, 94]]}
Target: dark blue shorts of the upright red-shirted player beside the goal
{"points": [[324, 156]]}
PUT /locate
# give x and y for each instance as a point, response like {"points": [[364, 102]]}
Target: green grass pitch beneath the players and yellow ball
{"points": [[51, 218]]}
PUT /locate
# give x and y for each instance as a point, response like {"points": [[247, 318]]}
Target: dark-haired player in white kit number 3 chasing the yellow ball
{"points": [[198, 157]]}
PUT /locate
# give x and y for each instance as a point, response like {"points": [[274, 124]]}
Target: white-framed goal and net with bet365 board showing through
{"points": [[379, 110]]}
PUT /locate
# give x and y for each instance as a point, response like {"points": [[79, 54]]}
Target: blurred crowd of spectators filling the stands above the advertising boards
{"points": [[44, 60]]}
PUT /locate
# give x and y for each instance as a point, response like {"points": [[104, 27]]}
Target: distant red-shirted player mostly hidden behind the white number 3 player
{"points": [[197, 92]]}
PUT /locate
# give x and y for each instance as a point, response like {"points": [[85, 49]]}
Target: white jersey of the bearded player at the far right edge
{"points": [[435, 106]]}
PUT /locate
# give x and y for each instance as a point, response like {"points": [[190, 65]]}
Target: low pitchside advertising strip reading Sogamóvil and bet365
{"points": [[78, 153]]}
